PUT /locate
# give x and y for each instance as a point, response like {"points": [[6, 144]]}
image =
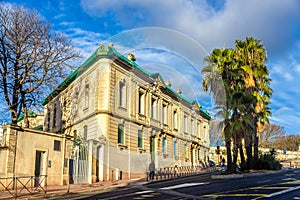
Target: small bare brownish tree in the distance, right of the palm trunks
{"points": [[270, 135]]}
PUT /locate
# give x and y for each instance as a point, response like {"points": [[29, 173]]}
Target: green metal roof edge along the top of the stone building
{"points": [[110, 52]]}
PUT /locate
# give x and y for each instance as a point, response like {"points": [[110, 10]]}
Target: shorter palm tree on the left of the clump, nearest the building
{"points": [[220, 80]]}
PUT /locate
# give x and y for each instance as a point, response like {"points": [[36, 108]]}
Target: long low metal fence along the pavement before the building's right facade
{"points": [[174, 172]]}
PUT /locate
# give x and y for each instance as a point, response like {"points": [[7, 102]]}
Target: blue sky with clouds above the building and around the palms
{"points": [[172, 37]]}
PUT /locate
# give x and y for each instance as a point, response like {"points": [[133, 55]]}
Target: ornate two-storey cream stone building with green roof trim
{"points": [[122, 117]]}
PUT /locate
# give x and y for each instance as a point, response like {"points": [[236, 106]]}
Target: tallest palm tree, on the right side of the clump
{"points": [[251, 57]]}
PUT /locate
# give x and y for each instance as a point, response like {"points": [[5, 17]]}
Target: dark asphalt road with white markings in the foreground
{"points": [[283, 185]]}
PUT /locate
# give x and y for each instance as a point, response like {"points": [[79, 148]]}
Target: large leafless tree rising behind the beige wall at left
{"points": [[32, 58]]}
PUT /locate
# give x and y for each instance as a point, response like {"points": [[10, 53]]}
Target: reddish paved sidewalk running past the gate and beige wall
{"points": [[75, 190]]}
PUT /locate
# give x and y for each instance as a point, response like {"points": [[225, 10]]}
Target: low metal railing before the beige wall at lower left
{"points": [[22, 185]]}
